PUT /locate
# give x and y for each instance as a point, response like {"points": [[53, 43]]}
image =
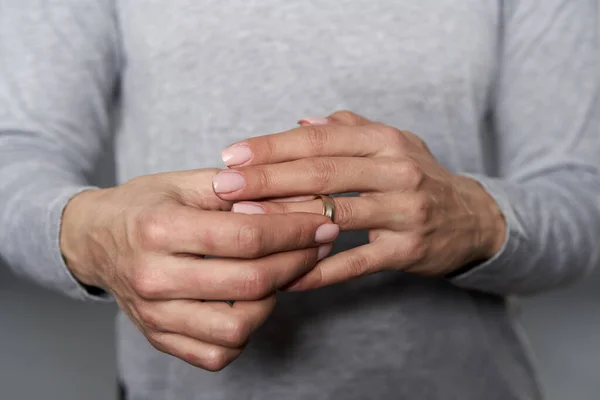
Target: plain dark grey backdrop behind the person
{"points": [[53, 348]]}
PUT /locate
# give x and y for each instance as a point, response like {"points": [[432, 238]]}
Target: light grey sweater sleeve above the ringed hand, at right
{"points": [[546, 118]]}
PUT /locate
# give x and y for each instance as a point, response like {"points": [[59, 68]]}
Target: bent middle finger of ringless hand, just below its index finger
{"points": [[221, 278]]}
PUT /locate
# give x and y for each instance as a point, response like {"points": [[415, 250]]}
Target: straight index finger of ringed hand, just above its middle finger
{"points": [[309, 141]]}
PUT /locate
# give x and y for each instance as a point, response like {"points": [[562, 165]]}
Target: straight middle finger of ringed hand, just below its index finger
{"points": [[315, 175]]}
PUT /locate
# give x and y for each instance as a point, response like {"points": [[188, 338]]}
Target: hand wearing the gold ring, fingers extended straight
{"points": [[421, 217]]}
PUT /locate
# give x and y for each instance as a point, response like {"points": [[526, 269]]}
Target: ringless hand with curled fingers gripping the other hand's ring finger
{"points": [[144, 242]]}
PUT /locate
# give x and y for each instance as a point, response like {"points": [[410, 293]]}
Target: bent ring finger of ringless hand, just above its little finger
{"points": [[210, 322]]}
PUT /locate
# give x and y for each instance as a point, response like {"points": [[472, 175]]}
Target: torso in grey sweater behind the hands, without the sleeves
{"points": [[200, 74]]}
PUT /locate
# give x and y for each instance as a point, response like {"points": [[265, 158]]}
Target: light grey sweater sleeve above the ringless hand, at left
{"points": [[59, 65]]}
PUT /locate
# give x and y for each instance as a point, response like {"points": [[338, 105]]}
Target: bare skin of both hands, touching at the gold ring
{"points": [[145, 241]]}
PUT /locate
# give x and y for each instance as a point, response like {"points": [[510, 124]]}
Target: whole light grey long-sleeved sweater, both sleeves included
{"points": [[505, 91]]}
